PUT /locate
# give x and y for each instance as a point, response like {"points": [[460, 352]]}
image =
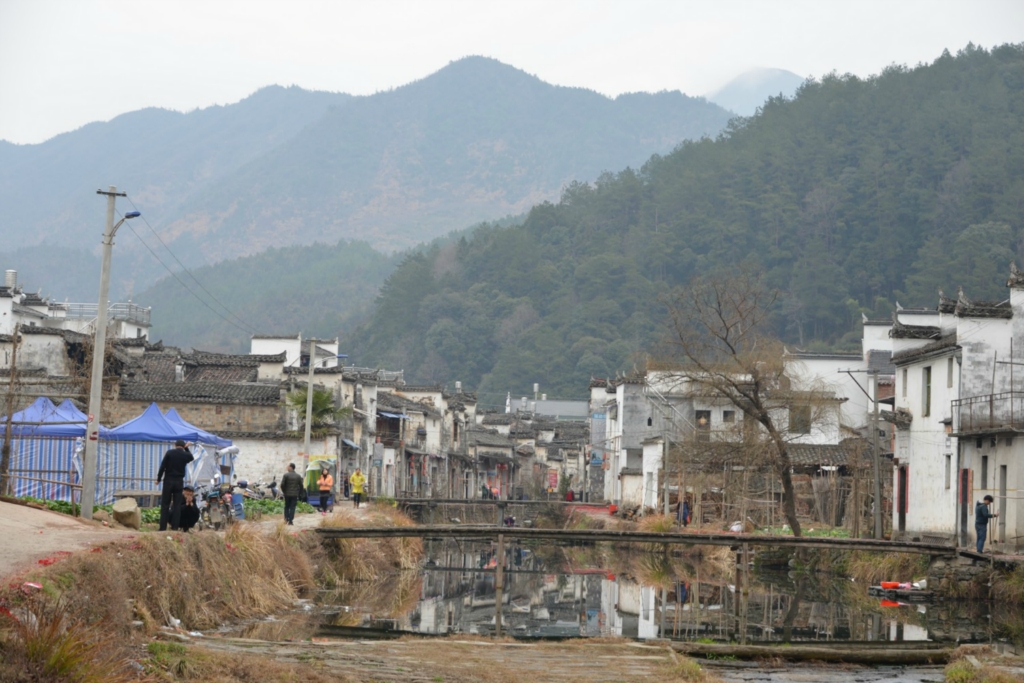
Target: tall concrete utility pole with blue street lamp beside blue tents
{"points": [[99, 348]]}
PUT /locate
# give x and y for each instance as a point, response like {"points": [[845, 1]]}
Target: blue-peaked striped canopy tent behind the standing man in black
{"points": [[131, 454]]}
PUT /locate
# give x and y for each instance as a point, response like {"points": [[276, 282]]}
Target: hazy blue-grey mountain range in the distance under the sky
{"points": [[477, 141]]}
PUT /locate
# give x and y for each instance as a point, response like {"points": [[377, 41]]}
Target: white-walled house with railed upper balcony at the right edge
{"points": [[958, 417]]}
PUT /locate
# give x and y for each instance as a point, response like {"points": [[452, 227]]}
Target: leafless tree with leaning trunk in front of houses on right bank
{"points": [[720, 347]]}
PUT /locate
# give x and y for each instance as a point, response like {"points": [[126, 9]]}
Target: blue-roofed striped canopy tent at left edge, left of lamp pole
{"points": [[45, 442]]}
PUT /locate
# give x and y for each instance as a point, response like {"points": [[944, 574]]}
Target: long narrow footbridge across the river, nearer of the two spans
{"points": [[489, 533]]}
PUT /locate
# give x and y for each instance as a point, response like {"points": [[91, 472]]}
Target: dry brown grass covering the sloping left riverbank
{"points": [[84, 618]]}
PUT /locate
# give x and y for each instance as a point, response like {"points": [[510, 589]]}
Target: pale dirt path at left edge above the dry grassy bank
{"points": [[31, 535]]}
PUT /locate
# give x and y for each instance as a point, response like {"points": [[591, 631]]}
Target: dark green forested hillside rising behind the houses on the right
{"points": [[852, 196]]}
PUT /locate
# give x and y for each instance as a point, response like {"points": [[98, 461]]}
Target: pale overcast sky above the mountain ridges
{"points": [[68, 63]]}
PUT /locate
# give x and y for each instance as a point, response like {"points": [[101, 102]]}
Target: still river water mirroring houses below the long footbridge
{"points": [[556, 592]]}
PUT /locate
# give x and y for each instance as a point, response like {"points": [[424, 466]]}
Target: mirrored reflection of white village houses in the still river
{"points": [[541, 601]]}
